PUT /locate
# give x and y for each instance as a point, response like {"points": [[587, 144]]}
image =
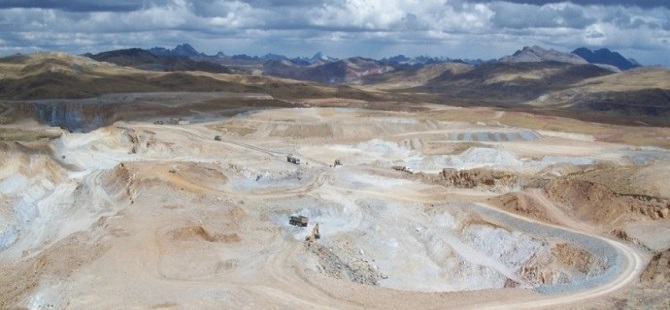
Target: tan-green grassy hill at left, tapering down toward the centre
{"points": [[63, 76]]}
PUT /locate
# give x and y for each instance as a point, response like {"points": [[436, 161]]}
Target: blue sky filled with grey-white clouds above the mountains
{"points": [[340, 28]]}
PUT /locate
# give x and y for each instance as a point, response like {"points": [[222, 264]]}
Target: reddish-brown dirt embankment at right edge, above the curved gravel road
{"points": [[601, 195]]}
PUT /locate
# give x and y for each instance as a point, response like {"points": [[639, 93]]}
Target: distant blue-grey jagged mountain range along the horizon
{"points": [[324, 69]]}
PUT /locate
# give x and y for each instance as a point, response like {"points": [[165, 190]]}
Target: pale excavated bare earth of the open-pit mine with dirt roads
{"points": [[145, 216]]}
